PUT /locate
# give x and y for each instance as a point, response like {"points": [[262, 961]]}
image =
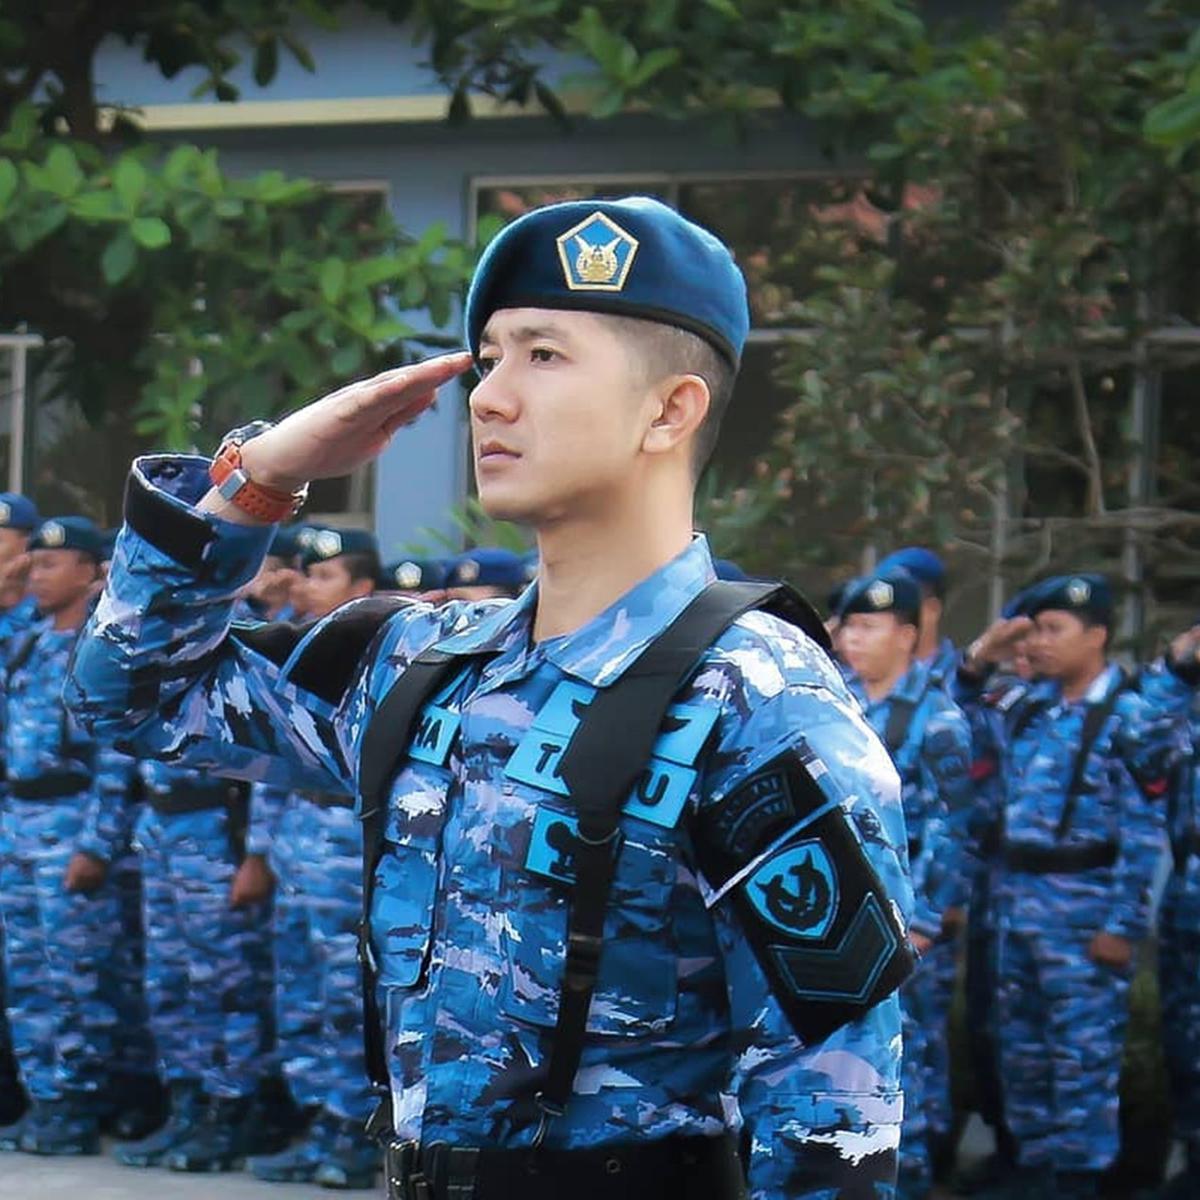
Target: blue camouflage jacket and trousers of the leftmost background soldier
{"points": [[74, 962]]}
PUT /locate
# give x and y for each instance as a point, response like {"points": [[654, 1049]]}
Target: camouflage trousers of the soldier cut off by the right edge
{"points": [[1179, 974]]}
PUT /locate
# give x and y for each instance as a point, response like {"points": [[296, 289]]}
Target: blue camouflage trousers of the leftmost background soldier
{"points": [[73, 962]]}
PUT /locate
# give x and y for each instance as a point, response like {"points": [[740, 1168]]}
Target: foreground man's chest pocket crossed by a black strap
{"points": [[638, 986]]}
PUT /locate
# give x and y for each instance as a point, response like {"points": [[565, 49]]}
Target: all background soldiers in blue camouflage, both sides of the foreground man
{"points": [[182, 953]]}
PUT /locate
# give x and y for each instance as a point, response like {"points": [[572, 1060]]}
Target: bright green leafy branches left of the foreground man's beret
{"points": [[179, 298]]}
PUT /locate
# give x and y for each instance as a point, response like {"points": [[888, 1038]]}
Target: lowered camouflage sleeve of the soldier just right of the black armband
{"points": [[945, 775]]}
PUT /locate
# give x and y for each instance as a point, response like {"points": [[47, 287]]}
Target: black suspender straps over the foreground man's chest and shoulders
{"points": [[609, 752]]}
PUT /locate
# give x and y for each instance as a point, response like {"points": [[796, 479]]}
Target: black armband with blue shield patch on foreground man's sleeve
{"points": [[814, 910]]}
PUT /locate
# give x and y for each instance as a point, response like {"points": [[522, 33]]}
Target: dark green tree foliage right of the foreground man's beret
{"points": [[985, 315]]}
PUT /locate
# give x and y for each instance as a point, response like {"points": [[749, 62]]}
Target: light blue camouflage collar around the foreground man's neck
{"points": [[603, 650]]}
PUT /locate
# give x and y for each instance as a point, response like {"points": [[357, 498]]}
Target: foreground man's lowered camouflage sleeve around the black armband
{"points": [[839, 1096]]}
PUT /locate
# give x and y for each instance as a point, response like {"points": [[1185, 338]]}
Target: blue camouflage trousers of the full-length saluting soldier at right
{"points": [[1061, 1033]]}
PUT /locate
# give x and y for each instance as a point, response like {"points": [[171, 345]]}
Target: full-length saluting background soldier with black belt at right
{"points": [[1083, 764]]}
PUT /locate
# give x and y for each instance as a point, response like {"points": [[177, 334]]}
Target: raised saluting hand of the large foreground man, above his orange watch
{"points": [[349, 428]]}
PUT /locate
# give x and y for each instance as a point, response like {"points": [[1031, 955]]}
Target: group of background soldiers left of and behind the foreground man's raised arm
{"points": [[181, 952]]}
